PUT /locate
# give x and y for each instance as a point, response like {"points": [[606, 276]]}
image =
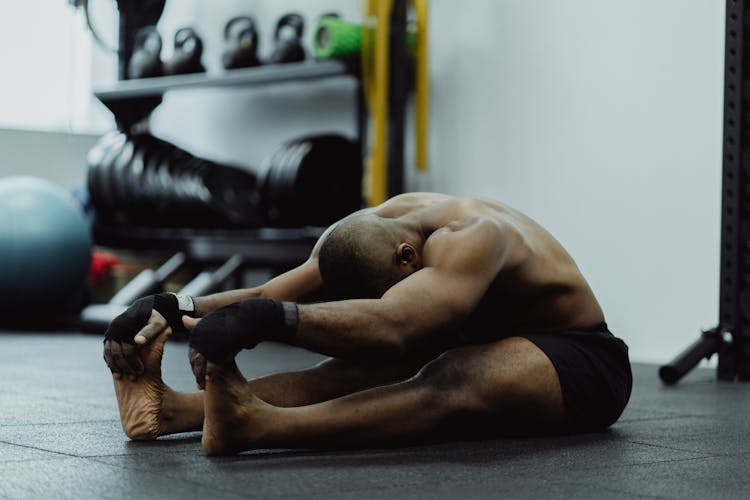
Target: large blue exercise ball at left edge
{"points": [[45, 248]]}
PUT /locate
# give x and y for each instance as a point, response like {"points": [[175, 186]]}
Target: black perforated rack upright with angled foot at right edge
{"points": [[731, 338]]}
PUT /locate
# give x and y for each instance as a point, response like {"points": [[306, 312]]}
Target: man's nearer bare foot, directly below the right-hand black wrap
{"points": [[231, 422]]}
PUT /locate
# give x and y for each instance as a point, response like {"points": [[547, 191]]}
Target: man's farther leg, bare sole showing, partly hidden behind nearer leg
{"points": [[149, 408]]}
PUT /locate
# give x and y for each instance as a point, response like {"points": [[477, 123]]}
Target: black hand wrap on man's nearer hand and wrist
{"points": [[241, 325]]}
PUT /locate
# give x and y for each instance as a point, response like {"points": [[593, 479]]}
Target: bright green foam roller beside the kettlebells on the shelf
{"points": [[335, 38]]}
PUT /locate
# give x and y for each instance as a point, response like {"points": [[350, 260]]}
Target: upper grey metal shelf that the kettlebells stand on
{"points": [[126, 90]]}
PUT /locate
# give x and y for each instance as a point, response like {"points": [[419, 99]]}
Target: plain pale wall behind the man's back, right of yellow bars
{"points": [[602, 119]]}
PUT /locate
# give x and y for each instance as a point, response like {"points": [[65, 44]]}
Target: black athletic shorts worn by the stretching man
{"points": [[594, 372]]}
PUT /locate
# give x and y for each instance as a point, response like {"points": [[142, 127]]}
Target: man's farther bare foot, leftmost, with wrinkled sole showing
{"points": [[148, 407]]}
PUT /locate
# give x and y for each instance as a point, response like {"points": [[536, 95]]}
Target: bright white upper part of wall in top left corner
{"points": [[45, 52]]}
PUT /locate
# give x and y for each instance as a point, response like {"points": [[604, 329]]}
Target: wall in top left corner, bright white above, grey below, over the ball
{"points": [[48, 116]]}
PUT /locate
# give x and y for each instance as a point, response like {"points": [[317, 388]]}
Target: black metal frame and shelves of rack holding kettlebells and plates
{"points": [[132, 100]]}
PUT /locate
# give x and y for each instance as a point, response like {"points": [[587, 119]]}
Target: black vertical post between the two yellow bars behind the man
{"points": [[397, 93]]}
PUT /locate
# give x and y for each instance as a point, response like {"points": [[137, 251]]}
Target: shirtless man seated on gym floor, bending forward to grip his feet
{"points": [[444, 318]]}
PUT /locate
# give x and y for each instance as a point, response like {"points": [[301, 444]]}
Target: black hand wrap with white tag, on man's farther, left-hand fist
{"points": [[124, 327]]}
